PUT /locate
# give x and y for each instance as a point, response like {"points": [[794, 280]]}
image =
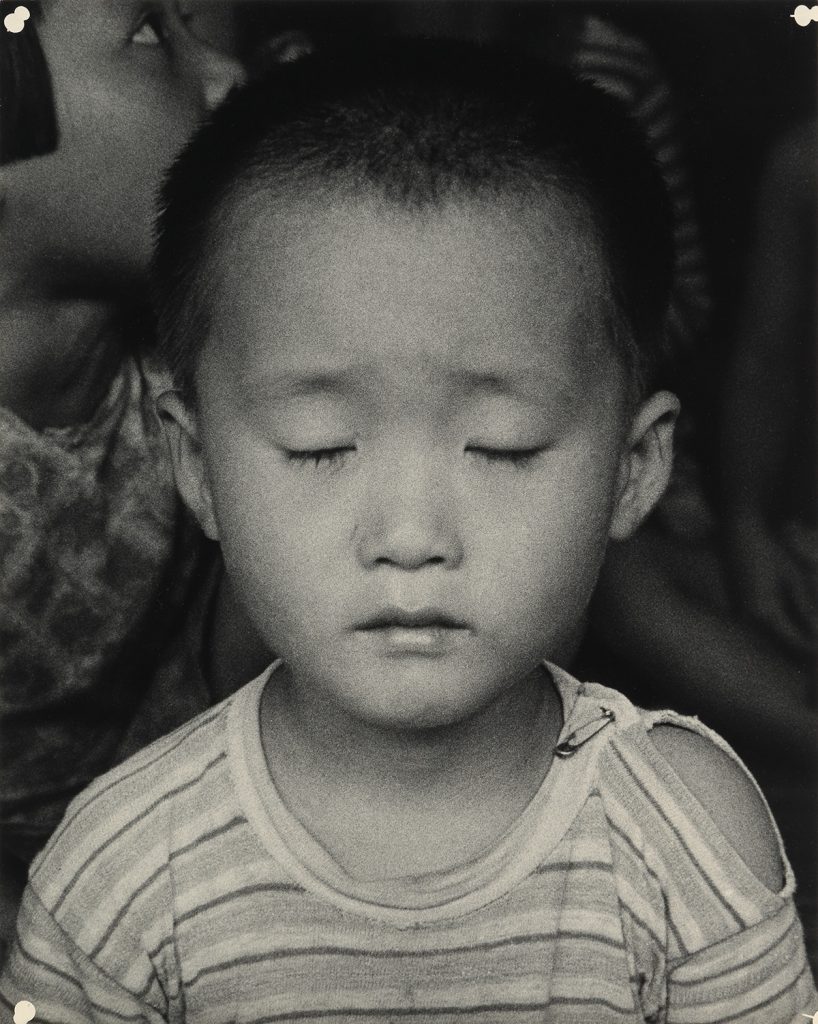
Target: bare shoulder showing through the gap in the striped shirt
{"points": [[729, 796]]}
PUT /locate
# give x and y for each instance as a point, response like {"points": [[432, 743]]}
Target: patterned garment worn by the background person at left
{"points": [[98, 569]]}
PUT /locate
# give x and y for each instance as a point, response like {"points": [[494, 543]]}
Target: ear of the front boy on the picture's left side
{"points": [[182, 433]]}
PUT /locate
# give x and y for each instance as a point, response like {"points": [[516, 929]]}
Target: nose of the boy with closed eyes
{"points": [[409, 521]]}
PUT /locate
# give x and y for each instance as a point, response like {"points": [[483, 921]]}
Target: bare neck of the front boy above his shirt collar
{"points": [[388, 803]]}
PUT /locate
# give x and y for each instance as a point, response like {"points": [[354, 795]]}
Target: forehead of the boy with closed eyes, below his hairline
{"points": [[472, 285]]}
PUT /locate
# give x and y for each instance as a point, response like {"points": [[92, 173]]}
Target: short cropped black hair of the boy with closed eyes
{"points": [[419, 123]]}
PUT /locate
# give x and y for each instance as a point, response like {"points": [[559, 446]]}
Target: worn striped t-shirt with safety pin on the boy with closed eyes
{"points": [[180, 888]]}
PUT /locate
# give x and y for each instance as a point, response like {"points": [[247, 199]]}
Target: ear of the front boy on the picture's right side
{"points": [[647, 463]]}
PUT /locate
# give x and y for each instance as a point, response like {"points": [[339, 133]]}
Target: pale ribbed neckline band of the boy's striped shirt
{"points": [[416, 901]]}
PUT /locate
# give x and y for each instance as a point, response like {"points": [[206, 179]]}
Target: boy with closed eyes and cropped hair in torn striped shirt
{"points": [[413, 308]]}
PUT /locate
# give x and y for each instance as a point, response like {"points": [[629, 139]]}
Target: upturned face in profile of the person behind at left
{"points": [[131, 82]]}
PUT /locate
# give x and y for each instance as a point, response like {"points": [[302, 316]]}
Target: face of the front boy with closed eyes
{"points": [[416, 445]]}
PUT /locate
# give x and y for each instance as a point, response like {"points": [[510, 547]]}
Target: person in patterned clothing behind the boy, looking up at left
{"points": [[100, 567]]}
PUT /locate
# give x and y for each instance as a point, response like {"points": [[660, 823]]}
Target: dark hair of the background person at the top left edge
{"points": [[30, 125]]}
